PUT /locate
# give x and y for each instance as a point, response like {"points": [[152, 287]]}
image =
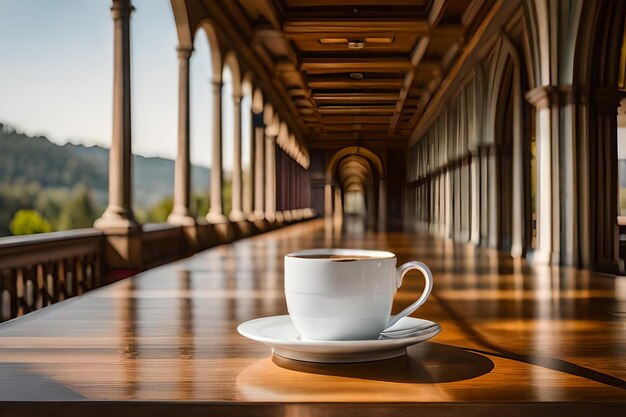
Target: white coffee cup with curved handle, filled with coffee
{"points": [[346, 294]]}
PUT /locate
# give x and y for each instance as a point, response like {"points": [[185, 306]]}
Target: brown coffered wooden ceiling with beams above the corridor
{"points": [[361, 69]]}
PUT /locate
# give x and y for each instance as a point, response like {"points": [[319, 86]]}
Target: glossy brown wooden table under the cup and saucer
{"points": [[516, 340]]}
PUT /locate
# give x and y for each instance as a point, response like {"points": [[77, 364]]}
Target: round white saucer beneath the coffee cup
{"points": [[279, 333]]}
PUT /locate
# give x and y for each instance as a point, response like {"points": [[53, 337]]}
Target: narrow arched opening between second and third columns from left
{"points": [[204, 79]]}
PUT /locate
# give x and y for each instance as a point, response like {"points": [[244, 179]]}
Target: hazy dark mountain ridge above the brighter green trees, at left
{"points": [[26, 159]]}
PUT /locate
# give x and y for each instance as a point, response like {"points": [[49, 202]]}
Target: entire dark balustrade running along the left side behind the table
{"points": [[39, 270]]}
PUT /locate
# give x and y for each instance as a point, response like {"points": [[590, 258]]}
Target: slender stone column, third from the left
{"points": [[216, 212]]}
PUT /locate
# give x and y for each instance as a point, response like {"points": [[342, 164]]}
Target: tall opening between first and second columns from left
{"points": [[153, 199]]}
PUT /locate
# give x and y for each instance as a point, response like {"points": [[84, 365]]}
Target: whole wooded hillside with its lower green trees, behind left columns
{"points": [[40, 175]]}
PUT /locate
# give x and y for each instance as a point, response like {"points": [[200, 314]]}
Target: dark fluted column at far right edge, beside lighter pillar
{"points": [[602, 245]]}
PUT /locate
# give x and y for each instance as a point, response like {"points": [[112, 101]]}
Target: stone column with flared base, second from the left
{"points": [[181, 214]]}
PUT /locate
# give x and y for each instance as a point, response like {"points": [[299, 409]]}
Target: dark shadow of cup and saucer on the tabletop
{"points": [[426, 364]]}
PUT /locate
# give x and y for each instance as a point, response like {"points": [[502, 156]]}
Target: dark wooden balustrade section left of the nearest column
{"points": [[39, 270]]}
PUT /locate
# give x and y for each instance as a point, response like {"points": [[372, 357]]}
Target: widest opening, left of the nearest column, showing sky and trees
{"points": [[55, 105]]}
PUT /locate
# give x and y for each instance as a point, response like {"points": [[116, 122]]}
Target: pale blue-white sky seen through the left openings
{"points": [[56, 75]]}
